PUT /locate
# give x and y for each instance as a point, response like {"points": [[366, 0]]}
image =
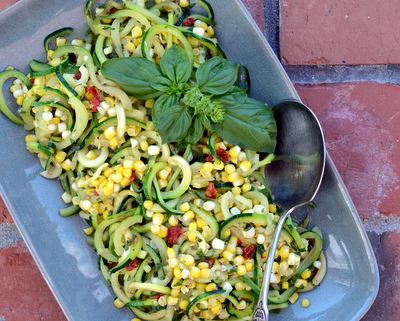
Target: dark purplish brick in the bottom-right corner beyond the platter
{"points": [[387, 304]]}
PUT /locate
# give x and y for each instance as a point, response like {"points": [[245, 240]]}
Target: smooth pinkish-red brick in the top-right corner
{"points": [[339, 32]]}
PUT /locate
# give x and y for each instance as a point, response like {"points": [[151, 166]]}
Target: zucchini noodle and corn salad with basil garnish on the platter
{"points": [[161, 152]]}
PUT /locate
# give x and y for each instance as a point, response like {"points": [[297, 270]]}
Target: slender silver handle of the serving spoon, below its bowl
{"points": [[261, 312]]}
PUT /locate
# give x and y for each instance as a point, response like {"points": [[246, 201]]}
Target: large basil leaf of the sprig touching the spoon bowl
{"points": [[247, 122]]}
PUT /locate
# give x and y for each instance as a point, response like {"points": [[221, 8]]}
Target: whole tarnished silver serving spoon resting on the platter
{"points": [[294, 176]]}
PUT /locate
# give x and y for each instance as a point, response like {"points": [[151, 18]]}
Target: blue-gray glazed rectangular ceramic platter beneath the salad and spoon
{"points": [[58, 245]]}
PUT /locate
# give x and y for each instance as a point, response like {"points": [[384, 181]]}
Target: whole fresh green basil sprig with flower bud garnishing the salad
{"points": [[187, 100]]}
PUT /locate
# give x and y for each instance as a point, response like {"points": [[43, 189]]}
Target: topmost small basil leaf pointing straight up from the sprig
{"points": [[175, 65]]}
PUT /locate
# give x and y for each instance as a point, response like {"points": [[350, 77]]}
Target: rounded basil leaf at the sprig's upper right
{"points": [[216, 76]]}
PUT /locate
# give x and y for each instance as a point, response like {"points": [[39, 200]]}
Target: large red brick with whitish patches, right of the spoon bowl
{"points": [[360, 123]]}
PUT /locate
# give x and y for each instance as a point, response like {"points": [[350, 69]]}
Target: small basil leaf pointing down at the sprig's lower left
{"points": [[173, 123]]}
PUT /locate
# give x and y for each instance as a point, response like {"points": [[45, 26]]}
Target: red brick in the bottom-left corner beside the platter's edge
{"points": [[24, 295]]}
